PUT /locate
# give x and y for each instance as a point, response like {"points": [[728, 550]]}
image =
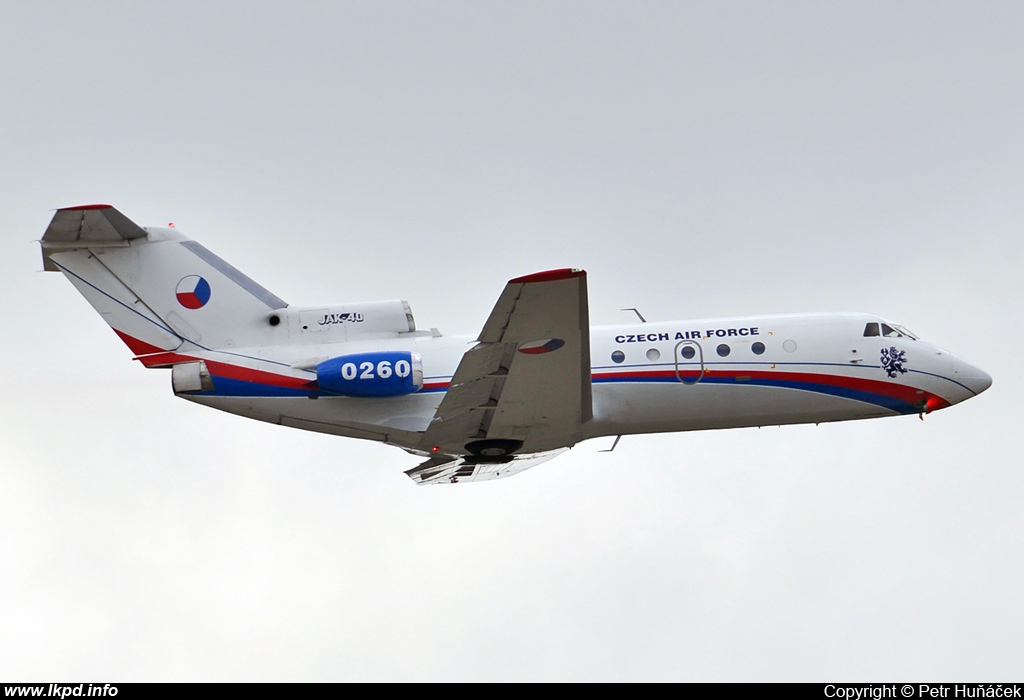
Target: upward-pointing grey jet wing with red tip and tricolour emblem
{"points": [[525, 387]]}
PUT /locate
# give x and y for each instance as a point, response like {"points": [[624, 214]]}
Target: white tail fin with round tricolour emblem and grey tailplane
{"points": [[157, 289]]}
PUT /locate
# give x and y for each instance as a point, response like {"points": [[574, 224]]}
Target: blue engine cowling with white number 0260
{"points": [[372, 374]]}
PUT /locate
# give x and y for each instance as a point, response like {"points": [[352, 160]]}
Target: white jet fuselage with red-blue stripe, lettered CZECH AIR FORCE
{"points": [[677, 376]]}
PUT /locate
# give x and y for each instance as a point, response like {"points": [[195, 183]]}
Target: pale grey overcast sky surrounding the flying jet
{"points": [[697, 159]]}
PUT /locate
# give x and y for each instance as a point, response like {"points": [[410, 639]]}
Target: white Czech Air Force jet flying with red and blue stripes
{"points": [[535, 382]]}
